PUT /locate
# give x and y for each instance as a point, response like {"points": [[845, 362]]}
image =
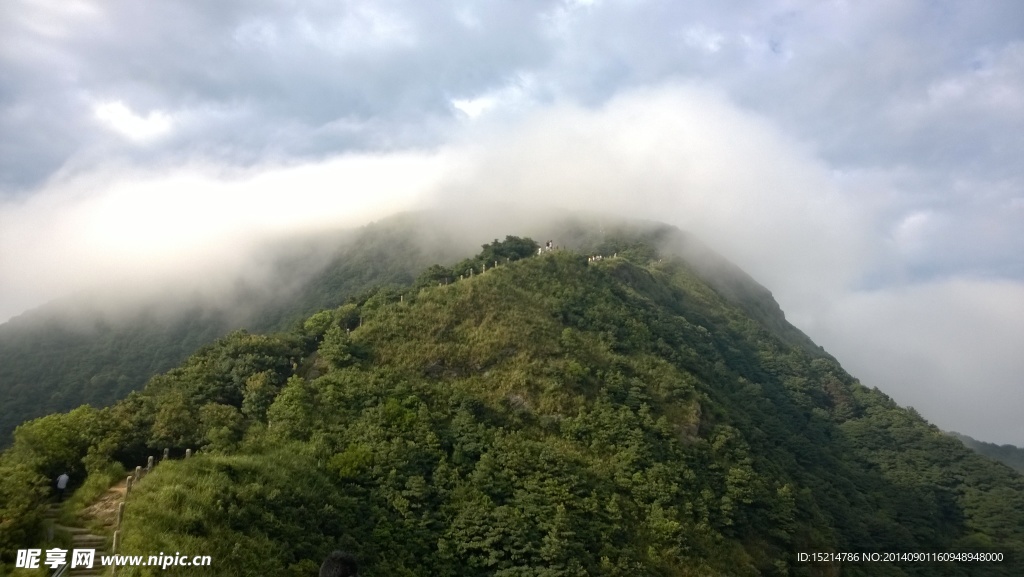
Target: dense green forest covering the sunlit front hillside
{"points": [[643, 415]]}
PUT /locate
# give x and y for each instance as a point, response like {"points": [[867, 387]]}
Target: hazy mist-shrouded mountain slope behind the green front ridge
{"points": [[95, 350]]}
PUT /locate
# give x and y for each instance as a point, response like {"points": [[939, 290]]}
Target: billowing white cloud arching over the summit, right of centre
{"points": [[687, 155]]}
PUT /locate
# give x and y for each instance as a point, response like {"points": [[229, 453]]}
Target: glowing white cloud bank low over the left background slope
{"points": [[188, 226]]}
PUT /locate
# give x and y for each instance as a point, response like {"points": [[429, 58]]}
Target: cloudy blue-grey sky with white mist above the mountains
{"points": [[863, 160]]}
